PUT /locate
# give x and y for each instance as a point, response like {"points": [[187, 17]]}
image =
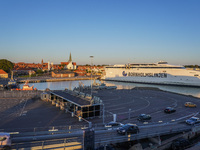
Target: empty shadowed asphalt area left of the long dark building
{"points": [[33, 115]]}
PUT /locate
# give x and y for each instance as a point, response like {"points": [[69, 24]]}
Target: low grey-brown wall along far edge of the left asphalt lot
{"points": [[20, 94]]}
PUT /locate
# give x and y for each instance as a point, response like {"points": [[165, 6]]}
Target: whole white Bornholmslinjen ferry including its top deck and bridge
{"points": [[153, 73]]}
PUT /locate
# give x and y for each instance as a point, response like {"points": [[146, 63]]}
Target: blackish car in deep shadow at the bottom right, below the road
{"points": [[180, 143]]}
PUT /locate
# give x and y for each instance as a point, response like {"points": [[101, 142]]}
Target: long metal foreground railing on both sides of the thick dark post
{"points": [[74, 140]]}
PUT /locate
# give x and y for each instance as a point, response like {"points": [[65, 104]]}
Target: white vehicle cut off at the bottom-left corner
{"points": [[5, 141]]}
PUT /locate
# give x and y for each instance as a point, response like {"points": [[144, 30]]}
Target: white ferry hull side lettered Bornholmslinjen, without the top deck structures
{"points": [[176, 77]]}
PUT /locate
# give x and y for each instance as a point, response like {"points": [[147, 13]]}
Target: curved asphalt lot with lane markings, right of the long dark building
{"points": [[129, 104]]}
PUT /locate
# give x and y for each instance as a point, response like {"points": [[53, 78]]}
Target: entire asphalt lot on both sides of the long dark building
{"points": [[33, 114]]}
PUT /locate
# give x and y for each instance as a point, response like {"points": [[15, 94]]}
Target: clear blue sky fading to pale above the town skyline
{"points": [[113, 31]]}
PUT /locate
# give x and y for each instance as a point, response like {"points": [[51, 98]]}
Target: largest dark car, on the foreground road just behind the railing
{"points": [[128, 128]]}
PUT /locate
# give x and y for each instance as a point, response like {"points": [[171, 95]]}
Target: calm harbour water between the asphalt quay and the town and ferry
{"points": [[120, 85]]}
